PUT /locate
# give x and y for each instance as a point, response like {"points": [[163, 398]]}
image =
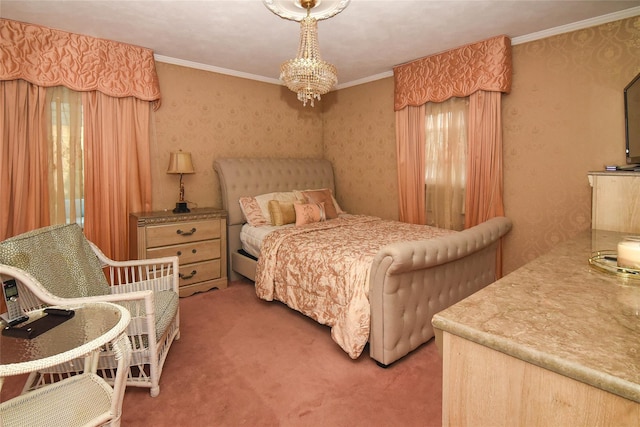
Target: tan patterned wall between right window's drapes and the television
{"points": [[563, 118]]}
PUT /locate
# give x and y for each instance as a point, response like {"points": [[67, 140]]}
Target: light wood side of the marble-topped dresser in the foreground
{"points": [[484, 387]]}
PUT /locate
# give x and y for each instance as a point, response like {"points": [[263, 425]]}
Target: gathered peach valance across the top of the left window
{"points": [[48, 57]]}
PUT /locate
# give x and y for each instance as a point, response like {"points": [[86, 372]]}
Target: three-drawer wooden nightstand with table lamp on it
{"points": [[198, 238]]}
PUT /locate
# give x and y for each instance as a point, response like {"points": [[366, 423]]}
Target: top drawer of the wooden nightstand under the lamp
{"points": [[173, 234]]}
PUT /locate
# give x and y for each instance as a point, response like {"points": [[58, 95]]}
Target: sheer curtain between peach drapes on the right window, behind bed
{"points": [[445, 161]]}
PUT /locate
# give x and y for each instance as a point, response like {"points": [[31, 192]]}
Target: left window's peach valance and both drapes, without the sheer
{"points": [[120, 89]]}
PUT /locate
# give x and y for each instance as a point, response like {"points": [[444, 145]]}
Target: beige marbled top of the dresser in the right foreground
{"points": [[561, 314]]}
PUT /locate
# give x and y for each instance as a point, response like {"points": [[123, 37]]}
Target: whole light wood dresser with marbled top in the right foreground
{"points": [[554, 343]]}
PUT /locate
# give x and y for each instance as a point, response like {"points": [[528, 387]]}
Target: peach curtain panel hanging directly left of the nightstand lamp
{"points": [[117, 161]]}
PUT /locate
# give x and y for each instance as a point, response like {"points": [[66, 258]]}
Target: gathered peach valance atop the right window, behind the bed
{"points": [[459, 72]]}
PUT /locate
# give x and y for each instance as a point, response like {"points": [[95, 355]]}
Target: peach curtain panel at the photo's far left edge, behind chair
{"points": [[24, 195]]}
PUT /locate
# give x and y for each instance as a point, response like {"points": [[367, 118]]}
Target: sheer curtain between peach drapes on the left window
{"points": [[65, 144]]}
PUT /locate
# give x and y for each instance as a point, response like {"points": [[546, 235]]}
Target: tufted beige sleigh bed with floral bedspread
{"points": [[405, 282]]}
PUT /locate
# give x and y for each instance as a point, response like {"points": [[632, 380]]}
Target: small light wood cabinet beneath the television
{"points": [[615, 203]]}
